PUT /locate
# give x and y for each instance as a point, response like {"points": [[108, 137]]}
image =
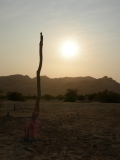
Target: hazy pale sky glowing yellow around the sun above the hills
{"points": [[94, 25]]}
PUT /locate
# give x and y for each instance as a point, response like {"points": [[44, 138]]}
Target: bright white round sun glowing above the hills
{"points": [[69, 49]]}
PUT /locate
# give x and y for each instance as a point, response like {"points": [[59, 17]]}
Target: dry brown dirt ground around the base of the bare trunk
{"points": [[65, 131]]}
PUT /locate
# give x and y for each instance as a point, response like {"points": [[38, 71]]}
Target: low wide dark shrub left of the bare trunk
{"points": [[15, 96]]}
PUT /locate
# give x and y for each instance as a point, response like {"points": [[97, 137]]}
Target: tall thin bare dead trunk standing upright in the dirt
{"points": [[30, 127]]}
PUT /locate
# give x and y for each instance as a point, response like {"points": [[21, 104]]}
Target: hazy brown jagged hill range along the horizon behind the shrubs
{"points": [[56, 86]]}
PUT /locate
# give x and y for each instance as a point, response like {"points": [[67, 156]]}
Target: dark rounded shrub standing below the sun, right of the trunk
{"points": [[70, 95]]}
